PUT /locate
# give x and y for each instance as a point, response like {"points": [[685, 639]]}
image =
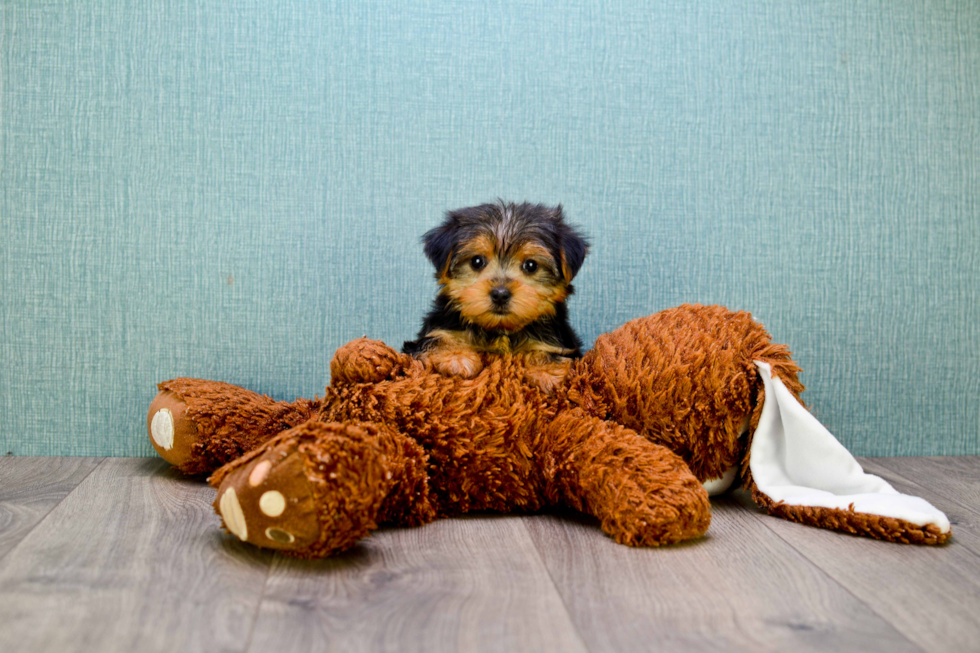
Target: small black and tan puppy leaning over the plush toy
{"points": [[504, 271]]}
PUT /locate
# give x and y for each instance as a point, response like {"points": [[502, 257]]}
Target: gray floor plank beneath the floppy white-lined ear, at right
{"points": [[930, 594]]}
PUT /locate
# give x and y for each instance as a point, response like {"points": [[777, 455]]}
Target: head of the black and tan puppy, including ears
{"points": [[504, 266]]}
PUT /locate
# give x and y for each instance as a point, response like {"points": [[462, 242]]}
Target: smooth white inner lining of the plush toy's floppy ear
{"points": [[796, 461]]}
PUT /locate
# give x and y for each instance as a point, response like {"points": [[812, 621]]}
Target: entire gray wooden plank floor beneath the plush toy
{"points": [[122, 554]]}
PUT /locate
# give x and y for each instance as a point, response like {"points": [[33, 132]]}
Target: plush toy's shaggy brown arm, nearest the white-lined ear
{"points": [[643, 493]]}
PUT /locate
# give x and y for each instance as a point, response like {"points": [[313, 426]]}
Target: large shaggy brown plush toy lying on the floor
{"points": [[658, 414]]}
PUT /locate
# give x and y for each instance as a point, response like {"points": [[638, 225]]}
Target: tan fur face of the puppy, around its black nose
{"points": [[488, 262]]}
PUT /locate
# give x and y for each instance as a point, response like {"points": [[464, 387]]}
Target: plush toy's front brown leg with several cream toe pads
{"points": [[320, 487]]}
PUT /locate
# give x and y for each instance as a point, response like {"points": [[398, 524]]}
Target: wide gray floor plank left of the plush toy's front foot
{"points": [[132, 560]]}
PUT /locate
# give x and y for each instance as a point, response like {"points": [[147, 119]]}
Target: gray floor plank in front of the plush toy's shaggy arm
{"points": [[738, 589]]}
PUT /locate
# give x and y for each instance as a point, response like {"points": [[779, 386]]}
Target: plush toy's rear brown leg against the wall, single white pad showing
{"points": [[197, 425]]}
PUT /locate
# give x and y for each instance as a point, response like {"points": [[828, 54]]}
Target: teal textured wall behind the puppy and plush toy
{"points": [[231, 190]]}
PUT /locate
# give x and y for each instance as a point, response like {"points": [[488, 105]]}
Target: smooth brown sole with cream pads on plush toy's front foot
{"points": [[269, 502]]}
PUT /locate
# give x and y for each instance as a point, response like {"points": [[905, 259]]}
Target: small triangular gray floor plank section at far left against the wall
{"points": [[30, 488]]}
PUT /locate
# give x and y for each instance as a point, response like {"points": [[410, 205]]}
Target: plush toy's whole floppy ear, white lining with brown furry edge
{"points": [[799, 471]]}
